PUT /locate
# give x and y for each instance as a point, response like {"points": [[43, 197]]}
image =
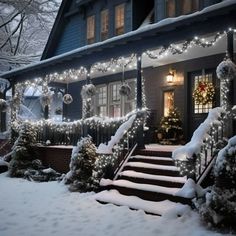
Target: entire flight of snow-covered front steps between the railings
{"points": [[148, 177]]}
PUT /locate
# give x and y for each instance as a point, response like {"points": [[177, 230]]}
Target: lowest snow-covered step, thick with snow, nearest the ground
{"points": [[136, 203]]}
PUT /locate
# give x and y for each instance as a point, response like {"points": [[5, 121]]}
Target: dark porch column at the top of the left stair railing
{"points": [[140, 134]]}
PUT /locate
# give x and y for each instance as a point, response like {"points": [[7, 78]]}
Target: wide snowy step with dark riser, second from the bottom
{"points": [[148, 192]]}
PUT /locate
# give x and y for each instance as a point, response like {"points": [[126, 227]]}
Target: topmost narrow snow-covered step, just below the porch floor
{"points": [[152, 159]]}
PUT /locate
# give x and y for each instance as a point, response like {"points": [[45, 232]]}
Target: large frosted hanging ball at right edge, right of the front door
{"points": [[226, 70]]}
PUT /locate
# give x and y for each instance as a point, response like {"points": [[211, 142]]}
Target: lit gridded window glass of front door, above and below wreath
{"points": [[200, 108]]}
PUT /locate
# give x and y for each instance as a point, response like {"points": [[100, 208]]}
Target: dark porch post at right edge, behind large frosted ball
{"points": [[232, 94]]}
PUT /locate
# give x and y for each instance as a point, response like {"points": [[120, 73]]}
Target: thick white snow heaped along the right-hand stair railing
{"points": [[200, 134]]}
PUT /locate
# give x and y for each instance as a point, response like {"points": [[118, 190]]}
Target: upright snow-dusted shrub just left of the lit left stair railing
{"points": [[81, 166]]}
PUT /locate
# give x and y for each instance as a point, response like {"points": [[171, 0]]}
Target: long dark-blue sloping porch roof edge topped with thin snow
{"points": [[210, 19]]}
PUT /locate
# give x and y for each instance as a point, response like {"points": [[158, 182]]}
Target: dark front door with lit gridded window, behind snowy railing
{"points": [[199, 111]]}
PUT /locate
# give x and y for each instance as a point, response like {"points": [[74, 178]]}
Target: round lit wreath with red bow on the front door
{"points": [[204, 93]]}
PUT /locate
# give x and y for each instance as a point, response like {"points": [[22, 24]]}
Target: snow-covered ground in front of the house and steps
{"points": [[30, 209]]}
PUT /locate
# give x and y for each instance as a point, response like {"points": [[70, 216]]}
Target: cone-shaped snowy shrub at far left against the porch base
{"points": [[24, 162]]}
